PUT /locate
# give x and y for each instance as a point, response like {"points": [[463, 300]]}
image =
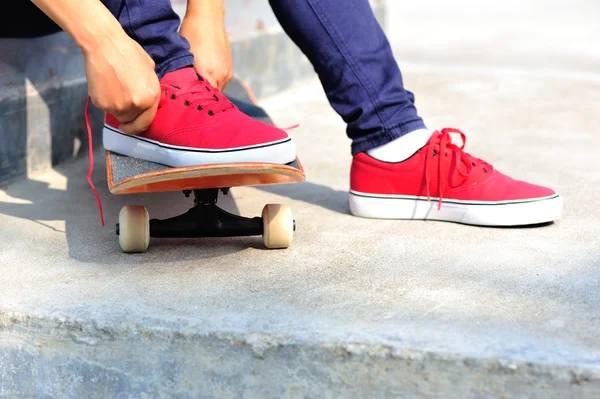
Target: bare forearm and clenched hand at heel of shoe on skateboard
{"points": [[120, 75]]}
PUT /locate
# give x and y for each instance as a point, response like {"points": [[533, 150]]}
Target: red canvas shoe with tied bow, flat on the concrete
{"points": [[442, 182]]}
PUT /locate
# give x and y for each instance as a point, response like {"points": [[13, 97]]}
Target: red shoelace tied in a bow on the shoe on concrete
{"points": [[443, 141]]}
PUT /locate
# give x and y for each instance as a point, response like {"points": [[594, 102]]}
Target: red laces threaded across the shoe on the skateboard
{"points": [[201, 93]]}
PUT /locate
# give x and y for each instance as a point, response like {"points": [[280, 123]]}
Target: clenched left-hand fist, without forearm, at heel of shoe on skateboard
{"points": [[122, 82]]}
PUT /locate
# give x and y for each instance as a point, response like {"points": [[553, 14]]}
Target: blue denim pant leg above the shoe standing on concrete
{"points": [[356, 66]]}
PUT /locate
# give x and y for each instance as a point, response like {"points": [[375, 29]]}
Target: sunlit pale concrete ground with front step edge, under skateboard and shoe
{"points": [[355, 307]]}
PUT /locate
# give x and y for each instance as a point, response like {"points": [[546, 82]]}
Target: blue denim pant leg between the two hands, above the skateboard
{"points": [[155, 26]]}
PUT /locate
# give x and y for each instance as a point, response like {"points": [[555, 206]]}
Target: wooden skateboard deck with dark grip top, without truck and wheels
{"points": [[128, 175]]}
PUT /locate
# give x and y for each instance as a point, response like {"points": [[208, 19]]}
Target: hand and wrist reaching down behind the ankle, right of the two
{"points": [[204, 27]]}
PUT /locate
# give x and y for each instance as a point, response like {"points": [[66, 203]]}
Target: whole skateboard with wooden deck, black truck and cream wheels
{"points": [[128, 175]]}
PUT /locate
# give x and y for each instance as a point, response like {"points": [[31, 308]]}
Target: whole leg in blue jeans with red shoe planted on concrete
{"points": [[398, 166]]}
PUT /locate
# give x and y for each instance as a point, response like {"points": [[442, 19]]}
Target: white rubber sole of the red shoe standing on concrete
{"points": [[504, 213]]}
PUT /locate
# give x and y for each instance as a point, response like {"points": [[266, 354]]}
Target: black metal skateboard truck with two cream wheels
{"points": [[205, 219]]}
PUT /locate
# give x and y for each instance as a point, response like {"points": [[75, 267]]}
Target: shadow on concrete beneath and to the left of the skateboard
{"points": [[46, 203]]}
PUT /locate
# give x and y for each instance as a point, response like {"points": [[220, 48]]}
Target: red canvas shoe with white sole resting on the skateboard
{"points": [[196, 124]]}
